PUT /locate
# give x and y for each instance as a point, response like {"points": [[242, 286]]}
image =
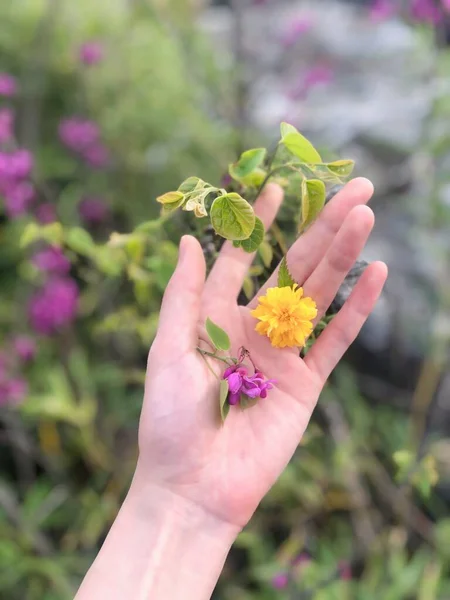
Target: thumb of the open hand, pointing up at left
{"points": [[180, 310]]}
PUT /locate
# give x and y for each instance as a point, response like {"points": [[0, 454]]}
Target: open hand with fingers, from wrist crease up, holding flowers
{"points": [[227, 470]]}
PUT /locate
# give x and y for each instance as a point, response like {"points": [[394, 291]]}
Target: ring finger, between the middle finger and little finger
{"points": [[325, 281]]}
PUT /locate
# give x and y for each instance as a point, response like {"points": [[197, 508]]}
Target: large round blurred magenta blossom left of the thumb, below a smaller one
{"points": [[54, 306]]}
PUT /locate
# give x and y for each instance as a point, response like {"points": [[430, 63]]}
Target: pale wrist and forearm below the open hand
{"points": [[160, 547]]}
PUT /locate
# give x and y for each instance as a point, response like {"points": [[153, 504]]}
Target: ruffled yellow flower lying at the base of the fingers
{"points": [[285, 316]]}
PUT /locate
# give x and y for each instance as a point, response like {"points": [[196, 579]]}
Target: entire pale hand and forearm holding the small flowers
{"points": [[197, 483]]}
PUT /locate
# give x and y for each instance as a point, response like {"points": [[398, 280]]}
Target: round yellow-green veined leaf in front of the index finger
{"points": [[232, 217]]}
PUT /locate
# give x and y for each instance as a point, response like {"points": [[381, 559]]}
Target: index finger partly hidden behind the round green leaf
{"points": [[229, 271]]}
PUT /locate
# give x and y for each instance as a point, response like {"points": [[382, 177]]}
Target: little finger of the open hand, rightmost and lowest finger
{"points": [[343, 329]]}
